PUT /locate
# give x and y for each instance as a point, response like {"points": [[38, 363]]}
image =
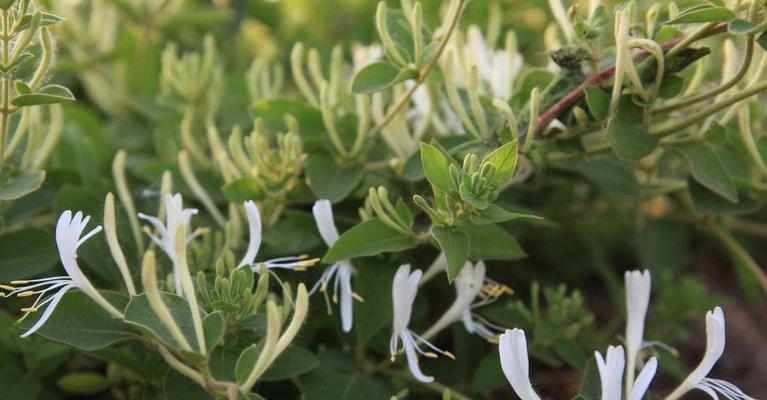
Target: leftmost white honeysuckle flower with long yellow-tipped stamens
{"points": [[69, 230]]}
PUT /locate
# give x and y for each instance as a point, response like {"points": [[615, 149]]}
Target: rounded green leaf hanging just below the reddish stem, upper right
{"points": [[626, 131]]}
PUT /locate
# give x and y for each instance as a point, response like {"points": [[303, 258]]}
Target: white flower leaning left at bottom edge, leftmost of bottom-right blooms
{"points": [[514, 362]]}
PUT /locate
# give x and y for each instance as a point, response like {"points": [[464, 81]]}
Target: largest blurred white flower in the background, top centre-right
{"points": [[497, 68]]}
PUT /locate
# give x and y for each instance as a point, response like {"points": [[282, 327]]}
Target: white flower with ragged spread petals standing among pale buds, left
{"points": [[175, 215]]}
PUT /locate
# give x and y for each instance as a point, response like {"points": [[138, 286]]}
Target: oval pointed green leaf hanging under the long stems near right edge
{"points": [[708, 169]]}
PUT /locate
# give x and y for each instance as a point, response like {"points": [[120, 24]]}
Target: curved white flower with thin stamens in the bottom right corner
{"points": [[697, 379]]}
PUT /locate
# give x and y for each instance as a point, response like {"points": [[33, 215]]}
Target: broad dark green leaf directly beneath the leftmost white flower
{"points": [[81, 323]]}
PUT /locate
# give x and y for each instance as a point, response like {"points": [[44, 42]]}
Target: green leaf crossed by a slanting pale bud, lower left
{"points": [[140, 314]]}
